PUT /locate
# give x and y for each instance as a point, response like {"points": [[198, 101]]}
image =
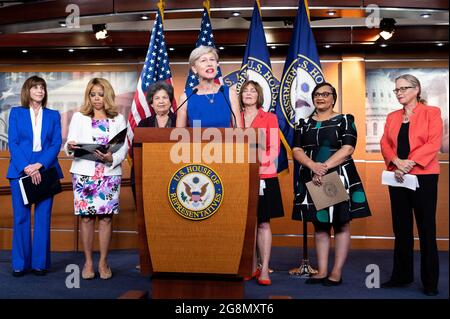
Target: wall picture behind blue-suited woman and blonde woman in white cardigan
{"points": [[65, 93]]}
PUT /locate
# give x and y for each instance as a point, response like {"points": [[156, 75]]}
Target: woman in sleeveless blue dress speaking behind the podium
{"points": [[213, 105]]}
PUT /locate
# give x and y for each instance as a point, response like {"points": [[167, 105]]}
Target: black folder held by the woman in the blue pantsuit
{"points": [[49, 186]]}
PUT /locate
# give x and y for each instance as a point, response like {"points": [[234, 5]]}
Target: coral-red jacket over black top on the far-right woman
{"points": [[425, 138]]}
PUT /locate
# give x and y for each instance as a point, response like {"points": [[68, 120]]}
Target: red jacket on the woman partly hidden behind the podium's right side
{"points": [[268, 122]]}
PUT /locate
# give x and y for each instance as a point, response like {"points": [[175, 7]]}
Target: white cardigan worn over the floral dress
{"points": [[80, 131]]}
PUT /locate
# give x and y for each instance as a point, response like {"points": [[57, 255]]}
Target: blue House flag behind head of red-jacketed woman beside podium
{"points": [[256, 63]]}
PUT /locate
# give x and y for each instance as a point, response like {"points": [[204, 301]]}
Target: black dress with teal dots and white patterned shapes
{"points": [[320, 140]]}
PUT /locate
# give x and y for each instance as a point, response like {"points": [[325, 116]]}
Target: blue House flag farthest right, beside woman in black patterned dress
{"points": [[301, 73]]}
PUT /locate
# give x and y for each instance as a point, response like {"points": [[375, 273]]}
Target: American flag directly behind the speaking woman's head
{"points": [[205, 37]]}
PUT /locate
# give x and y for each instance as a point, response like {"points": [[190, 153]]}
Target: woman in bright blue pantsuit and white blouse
{"points": [[34, 139]]}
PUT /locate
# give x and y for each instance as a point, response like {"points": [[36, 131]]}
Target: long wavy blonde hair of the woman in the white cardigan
{"points": [[108, 98]]}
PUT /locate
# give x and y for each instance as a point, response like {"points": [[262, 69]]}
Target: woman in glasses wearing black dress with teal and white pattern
{"points": [[324, 143]]}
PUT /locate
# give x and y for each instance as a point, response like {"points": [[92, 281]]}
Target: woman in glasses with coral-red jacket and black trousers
{"points": [[410, 145]]}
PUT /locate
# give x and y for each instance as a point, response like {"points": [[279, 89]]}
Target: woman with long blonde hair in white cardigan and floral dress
{"points": [[96, 184]]}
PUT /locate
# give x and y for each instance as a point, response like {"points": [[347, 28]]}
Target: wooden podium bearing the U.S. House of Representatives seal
{"points": [[193, 250]]}
